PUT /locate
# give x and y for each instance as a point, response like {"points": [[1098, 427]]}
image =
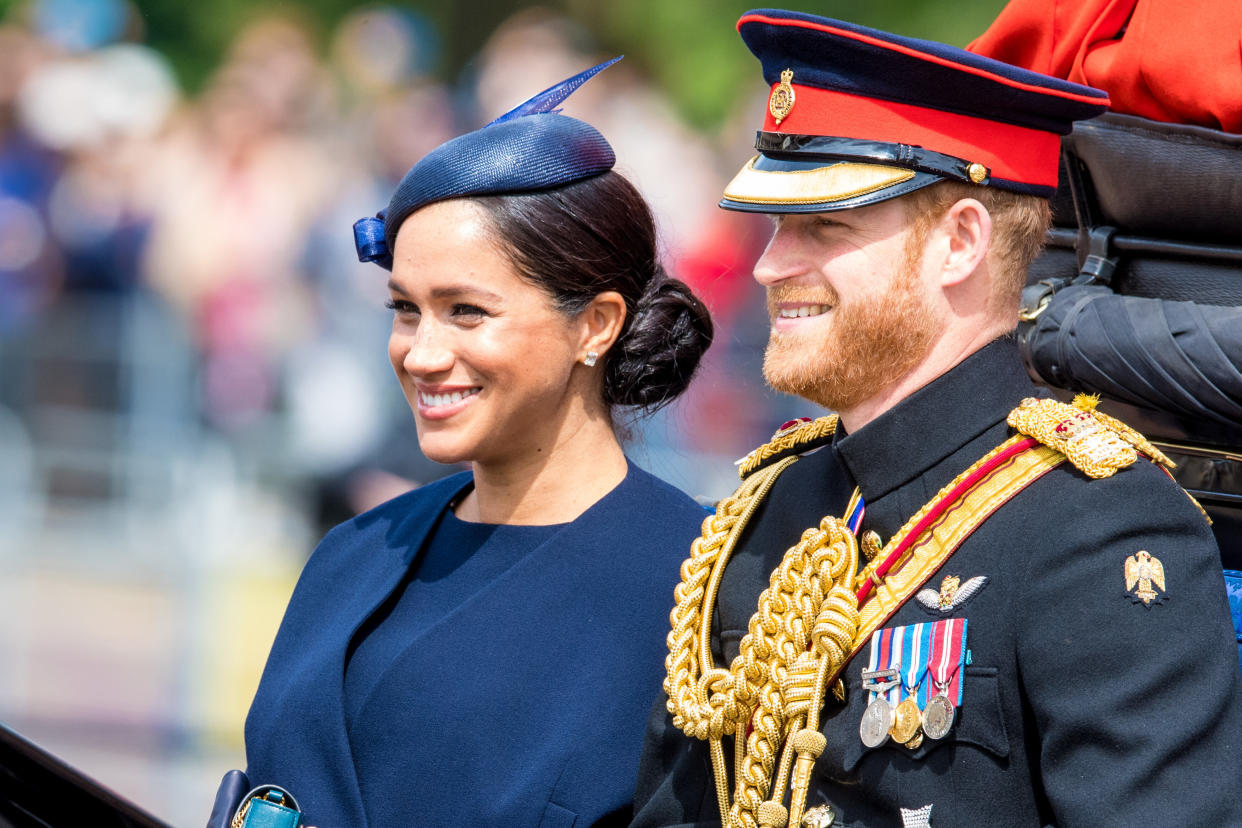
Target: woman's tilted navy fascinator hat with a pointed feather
{"points": [[530, 148]]}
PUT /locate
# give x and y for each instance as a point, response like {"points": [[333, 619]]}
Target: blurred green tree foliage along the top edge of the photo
{"points": [[689, 48]]}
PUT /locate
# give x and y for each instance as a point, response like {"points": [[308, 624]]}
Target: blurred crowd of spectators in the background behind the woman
{"points": [[194, 383]]}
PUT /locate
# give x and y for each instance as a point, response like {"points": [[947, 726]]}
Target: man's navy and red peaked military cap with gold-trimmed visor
{"points": [[859, 116]]}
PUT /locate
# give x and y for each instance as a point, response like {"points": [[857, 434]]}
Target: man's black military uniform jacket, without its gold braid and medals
{"points": [[1081, 707]]}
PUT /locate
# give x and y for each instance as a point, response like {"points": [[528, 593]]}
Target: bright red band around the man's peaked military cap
{"points": [[1030, 156]]}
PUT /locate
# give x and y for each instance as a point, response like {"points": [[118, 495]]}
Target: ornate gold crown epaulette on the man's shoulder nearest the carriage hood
{"points": [[1095, 443]]}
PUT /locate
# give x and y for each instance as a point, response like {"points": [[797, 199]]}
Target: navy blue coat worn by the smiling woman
{"points": [[524, 707]]}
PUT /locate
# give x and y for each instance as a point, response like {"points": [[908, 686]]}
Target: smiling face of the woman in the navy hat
{"points": [[484, 357]]}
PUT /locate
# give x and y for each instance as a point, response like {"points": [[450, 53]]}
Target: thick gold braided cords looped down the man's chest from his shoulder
{"points": [[800, 635]]}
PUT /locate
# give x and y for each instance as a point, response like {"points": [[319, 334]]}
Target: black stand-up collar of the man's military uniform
{"points": [[937, 420]]}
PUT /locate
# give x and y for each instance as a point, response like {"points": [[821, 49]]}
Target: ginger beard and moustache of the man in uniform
{"points": [[871, 342]]}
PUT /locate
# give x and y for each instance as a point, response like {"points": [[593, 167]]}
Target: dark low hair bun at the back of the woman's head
{"points": [[660, 348]]}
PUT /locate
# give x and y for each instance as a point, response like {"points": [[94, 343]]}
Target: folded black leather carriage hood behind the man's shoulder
{"points": [[1138, 296]]}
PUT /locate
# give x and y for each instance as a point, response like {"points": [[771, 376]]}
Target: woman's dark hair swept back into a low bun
{"points": [[579, 240]]}
